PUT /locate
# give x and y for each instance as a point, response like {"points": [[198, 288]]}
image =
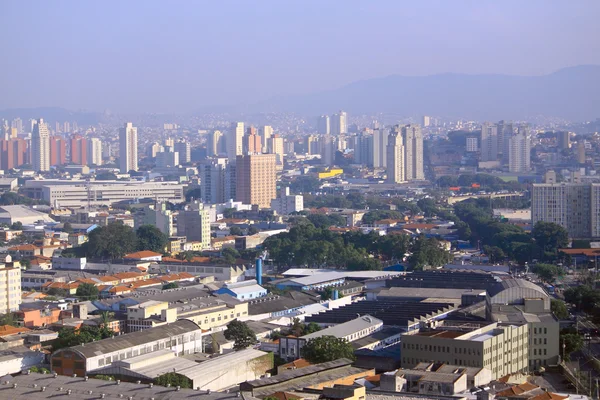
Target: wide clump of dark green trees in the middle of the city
{"points": [[308, 245]]}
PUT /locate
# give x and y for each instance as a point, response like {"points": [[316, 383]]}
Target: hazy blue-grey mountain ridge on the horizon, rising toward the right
{"points": [[572, 93]]}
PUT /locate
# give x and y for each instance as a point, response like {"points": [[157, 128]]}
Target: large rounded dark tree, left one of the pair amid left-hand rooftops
{"points": [[112, 241]]}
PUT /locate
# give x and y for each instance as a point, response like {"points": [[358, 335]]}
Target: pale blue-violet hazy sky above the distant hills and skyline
{"points": [[176, 56]]}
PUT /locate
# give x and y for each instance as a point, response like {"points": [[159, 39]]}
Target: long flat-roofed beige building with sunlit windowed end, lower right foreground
{"points": [[501, 348]]}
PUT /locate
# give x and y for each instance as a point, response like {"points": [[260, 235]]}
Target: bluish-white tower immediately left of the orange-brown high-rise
{"points": [[216, 180]]}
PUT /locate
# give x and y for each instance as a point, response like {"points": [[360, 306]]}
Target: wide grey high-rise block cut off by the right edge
{"points": [[574, 206]]}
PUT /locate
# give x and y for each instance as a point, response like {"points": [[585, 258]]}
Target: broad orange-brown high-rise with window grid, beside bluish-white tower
{"points": [[256, 179]]}
